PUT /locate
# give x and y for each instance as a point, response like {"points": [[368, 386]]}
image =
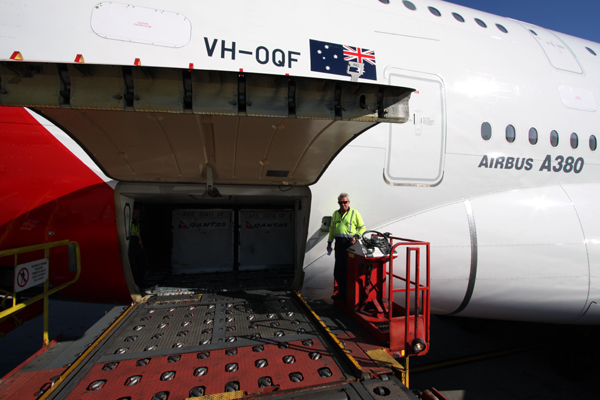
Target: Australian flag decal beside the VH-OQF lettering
{"points": [[337, 59]]}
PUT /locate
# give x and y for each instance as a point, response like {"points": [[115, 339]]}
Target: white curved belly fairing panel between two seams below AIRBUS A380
{"points": [[531, 256]]}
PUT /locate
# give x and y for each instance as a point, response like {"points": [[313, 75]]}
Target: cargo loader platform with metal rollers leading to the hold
{"points": [[251, 344]]}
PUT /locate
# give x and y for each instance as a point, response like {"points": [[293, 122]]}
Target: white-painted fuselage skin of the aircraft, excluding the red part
{"points": [[514, 228]]}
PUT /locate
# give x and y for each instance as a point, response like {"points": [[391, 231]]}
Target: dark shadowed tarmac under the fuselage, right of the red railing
{"points": [[489, 359]]}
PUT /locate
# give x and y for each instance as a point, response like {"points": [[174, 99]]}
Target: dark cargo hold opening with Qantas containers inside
{"points": [[235, 238]]}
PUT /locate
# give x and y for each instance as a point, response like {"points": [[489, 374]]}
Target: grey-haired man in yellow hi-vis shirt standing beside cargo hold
{"points": [[346, 227]]}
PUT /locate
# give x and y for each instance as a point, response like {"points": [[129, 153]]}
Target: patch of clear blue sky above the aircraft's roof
{"points": [[575, 17]]}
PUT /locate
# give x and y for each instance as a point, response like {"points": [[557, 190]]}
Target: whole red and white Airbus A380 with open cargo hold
{"points": [[191, 111]]}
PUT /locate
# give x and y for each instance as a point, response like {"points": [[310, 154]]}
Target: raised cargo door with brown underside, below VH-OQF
{"points": [[173, 125]]}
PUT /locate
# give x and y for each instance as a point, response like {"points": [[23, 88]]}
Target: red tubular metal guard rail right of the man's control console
{"points": [[420, 292]]}
